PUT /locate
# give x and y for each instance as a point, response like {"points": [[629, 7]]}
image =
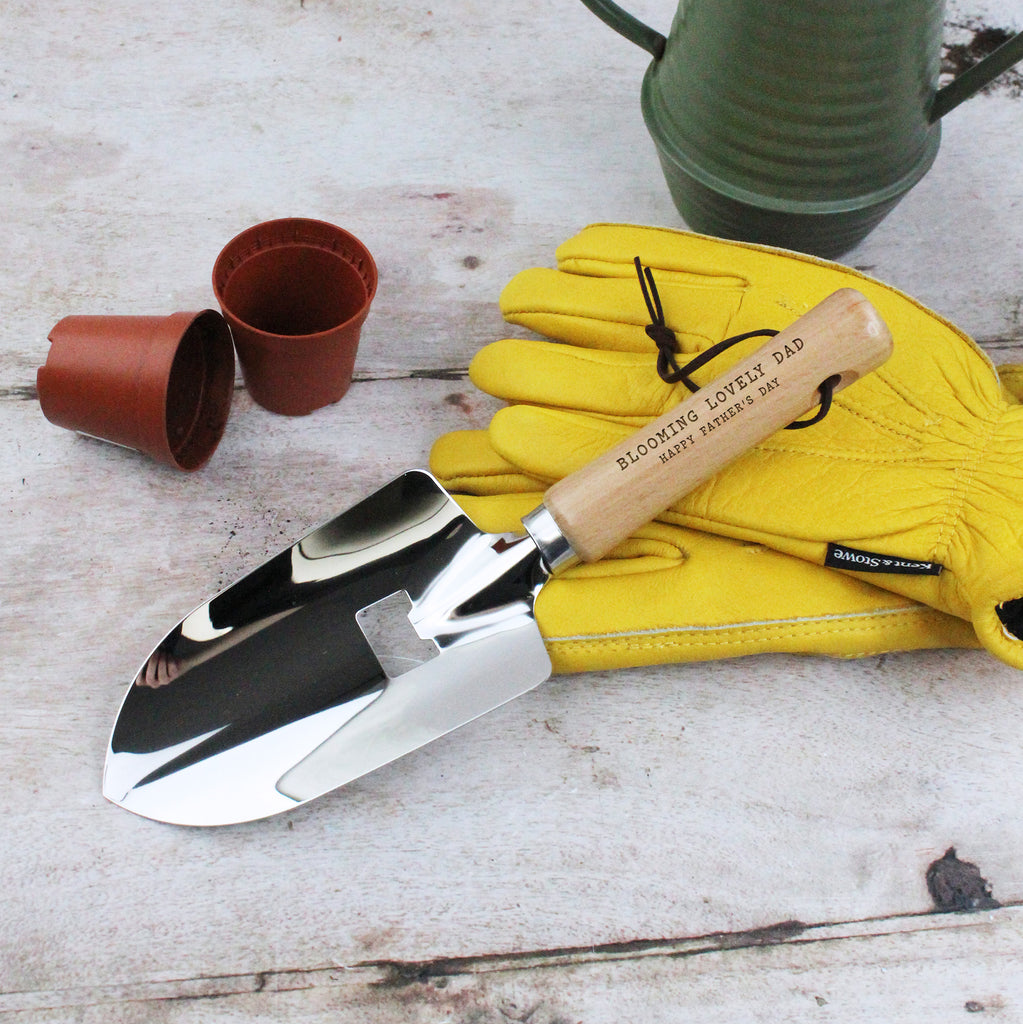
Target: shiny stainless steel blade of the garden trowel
{"points": [[380, 631]]}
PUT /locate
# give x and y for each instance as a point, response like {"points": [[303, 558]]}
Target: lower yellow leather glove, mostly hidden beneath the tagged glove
{"points": [[674, 594]]}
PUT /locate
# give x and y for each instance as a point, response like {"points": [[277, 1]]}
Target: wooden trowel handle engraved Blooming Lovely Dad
{"points": [[604, 503]]}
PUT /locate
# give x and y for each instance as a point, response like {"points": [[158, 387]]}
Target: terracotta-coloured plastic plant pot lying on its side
{"points": [[161, 386]]}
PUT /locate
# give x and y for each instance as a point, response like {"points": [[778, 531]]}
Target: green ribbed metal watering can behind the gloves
{"points": [[798, 123]]}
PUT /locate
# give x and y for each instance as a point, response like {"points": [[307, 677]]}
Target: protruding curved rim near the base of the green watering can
{"points": [[778, 204]]}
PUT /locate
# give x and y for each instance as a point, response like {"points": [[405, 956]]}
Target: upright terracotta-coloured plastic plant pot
{"points": [[296, 293]]}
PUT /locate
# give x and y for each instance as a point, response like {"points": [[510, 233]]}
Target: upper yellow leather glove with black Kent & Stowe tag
{"points": [[918, 467]]}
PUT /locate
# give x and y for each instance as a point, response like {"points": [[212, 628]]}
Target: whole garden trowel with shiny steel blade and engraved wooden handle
{"points": [[400, 621]]}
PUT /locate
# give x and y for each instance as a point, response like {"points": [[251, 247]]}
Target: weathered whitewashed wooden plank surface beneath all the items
{"points": [[617, 847]]}
